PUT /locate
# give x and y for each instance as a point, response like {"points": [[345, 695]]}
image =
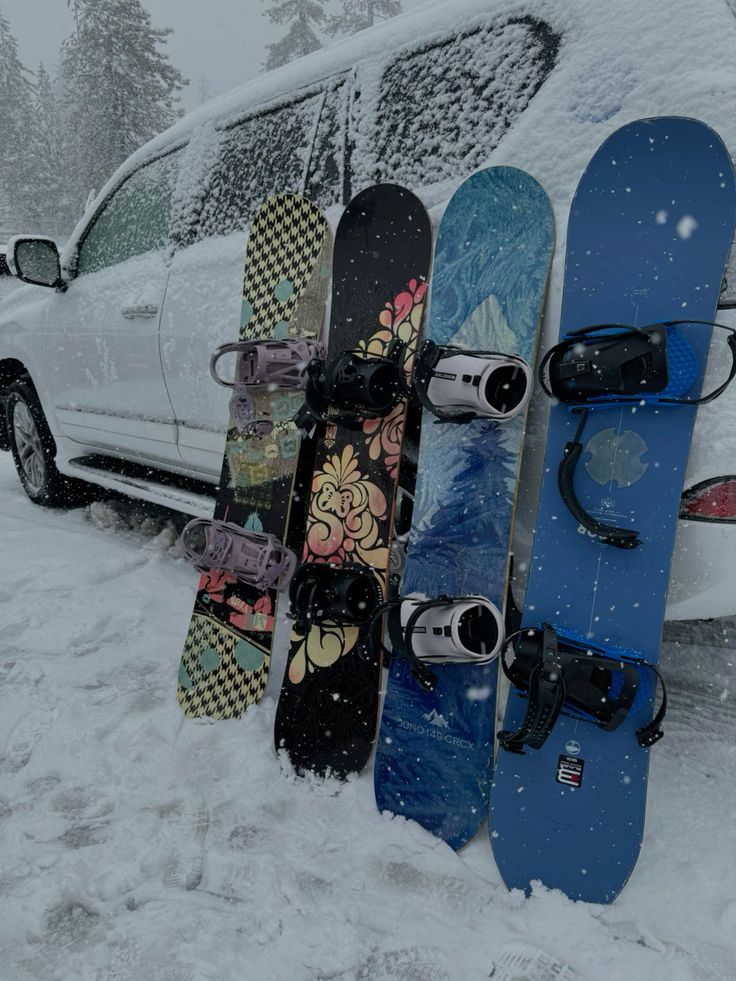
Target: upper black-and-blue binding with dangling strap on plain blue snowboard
{"points": [[615, 364]]}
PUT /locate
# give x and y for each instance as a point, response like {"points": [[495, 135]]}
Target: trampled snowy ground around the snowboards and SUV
{"points": [[136, 845]]}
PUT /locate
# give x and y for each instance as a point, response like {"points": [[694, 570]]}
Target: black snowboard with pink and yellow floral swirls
{"points": [[328, 709]]}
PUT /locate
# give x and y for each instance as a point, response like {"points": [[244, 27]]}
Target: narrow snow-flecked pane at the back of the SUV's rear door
{"points": [[326, 180]]}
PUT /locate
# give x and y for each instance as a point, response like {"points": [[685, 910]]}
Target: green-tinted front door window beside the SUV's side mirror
{"points": [[134, 220]]}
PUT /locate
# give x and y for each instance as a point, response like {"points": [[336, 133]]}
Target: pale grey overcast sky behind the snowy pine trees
{"points": [[216, 43]]}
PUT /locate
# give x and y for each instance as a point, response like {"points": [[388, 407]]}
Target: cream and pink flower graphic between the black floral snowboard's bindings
{"points": [[344, 514]]}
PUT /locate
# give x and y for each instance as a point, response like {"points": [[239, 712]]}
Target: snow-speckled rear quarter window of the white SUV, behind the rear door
{"points": [[444, 107]]}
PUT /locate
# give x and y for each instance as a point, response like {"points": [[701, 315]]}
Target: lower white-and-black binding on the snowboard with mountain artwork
{"points": [[445, 630]]}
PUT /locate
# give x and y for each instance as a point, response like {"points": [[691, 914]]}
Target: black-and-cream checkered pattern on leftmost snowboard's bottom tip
{"points": [[226, 692]]}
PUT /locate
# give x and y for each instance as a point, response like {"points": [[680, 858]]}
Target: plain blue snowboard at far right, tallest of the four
{"points": [[648, 236]]}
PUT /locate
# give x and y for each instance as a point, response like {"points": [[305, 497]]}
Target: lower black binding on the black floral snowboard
{"points": [[320, 593]]}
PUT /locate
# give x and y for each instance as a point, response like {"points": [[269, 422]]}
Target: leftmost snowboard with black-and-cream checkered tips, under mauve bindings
{"points": [[224, 666]]}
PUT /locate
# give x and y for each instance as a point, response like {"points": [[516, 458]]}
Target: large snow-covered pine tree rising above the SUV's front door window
{"points": [[120, 88]]}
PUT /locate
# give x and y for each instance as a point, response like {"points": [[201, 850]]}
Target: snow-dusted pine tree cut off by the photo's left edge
{"points": [[16, 157]]}
